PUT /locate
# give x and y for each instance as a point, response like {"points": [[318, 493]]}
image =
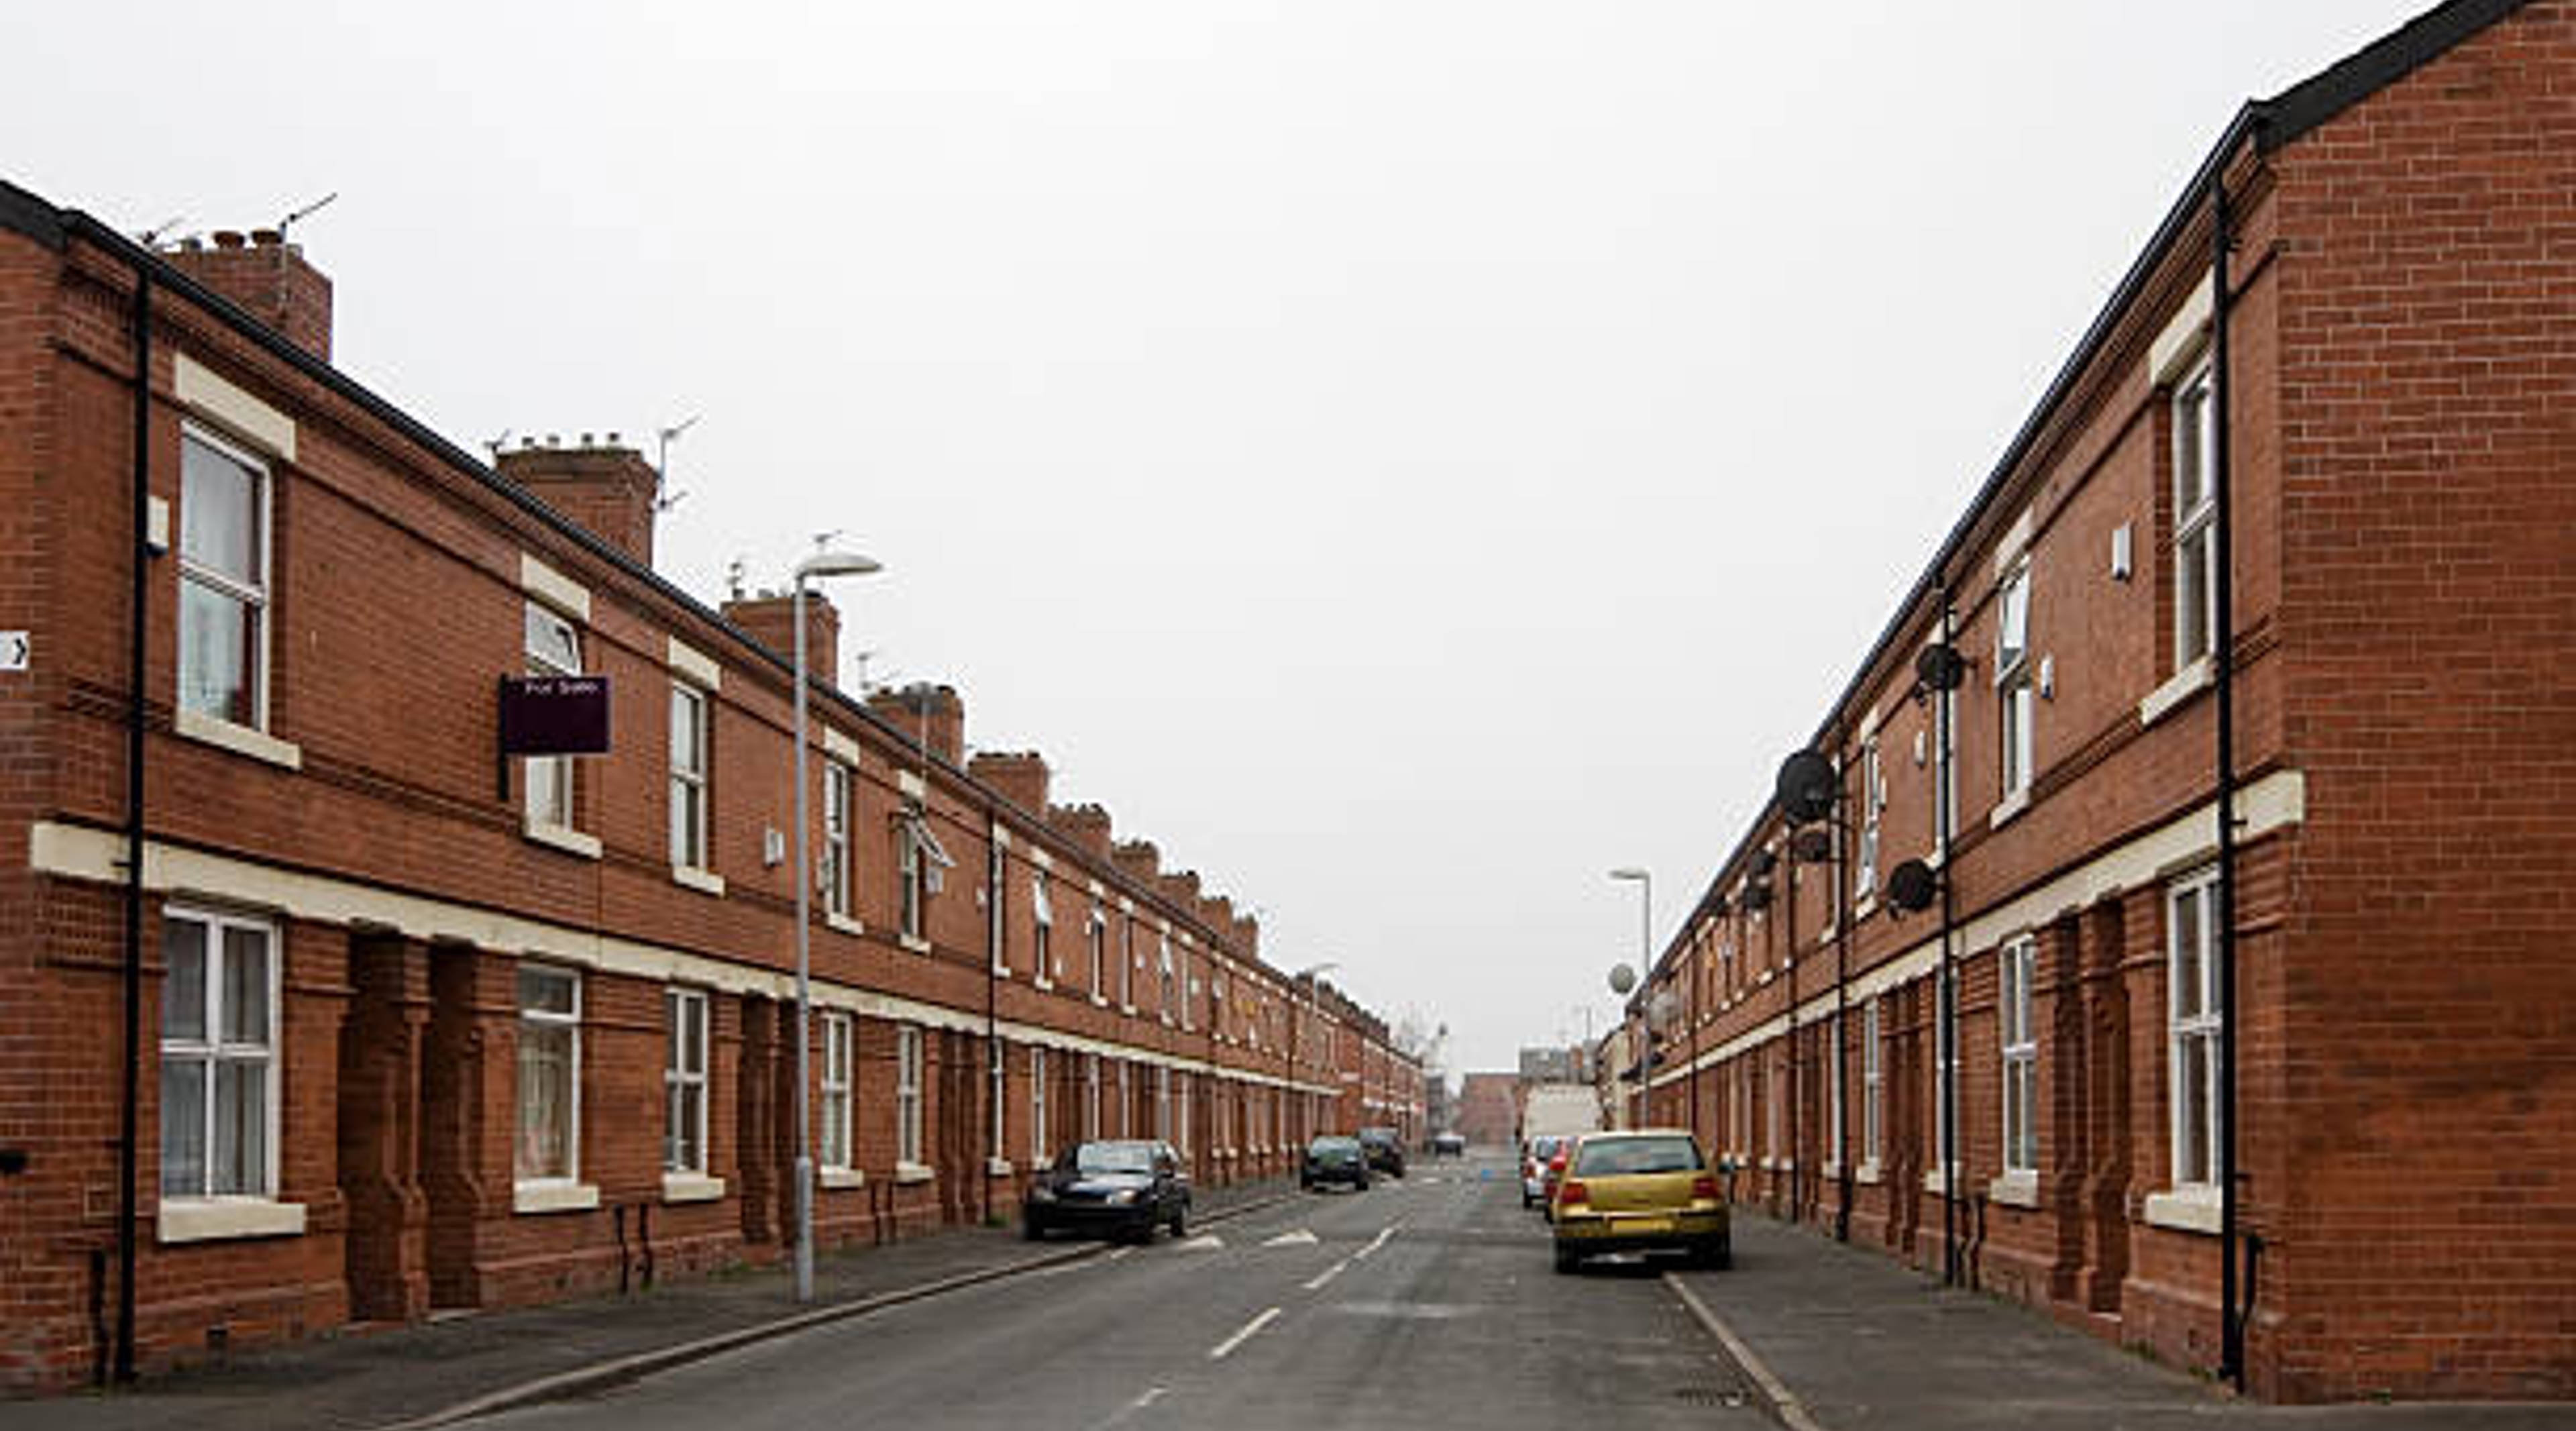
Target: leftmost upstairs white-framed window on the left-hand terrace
{"points": [[223, 594]]}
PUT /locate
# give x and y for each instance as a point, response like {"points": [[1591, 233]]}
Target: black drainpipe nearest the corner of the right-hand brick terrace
{"points": [[2232, 1334]]}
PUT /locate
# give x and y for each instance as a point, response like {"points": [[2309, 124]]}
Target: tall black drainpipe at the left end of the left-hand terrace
{"points": [[128, 1154]]}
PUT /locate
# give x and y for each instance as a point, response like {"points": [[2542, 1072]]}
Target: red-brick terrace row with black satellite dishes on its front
{"points": [[2291, 535]]}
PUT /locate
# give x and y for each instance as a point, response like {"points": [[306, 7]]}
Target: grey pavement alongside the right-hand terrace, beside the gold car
{"points": [[1848, 1339]]}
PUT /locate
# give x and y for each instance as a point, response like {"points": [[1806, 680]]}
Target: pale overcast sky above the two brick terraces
{"points": [[1403, 458]]}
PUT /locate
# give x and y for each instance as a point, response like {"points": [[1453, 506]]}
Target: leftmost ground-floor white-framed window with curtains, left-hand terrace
{"points": [[220, 1053]]}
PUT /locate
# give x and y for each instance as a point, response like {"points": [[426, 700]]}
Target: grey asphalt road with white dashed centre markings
{"points": [[1418, 1303]]}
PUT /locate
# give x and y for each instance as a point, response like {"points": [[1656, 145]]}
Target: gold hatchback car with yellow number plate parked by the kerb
{"points": [[1629, 1192]]}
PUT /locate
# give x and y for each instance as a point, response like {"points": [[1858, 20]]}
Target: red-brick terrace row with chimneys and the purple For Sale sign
{"points": [[318, 1009]]}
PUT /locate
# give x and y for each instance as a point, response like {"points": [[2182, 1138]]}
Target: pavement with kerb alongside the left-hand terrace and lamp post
{"points": [[478, 1363]]}
